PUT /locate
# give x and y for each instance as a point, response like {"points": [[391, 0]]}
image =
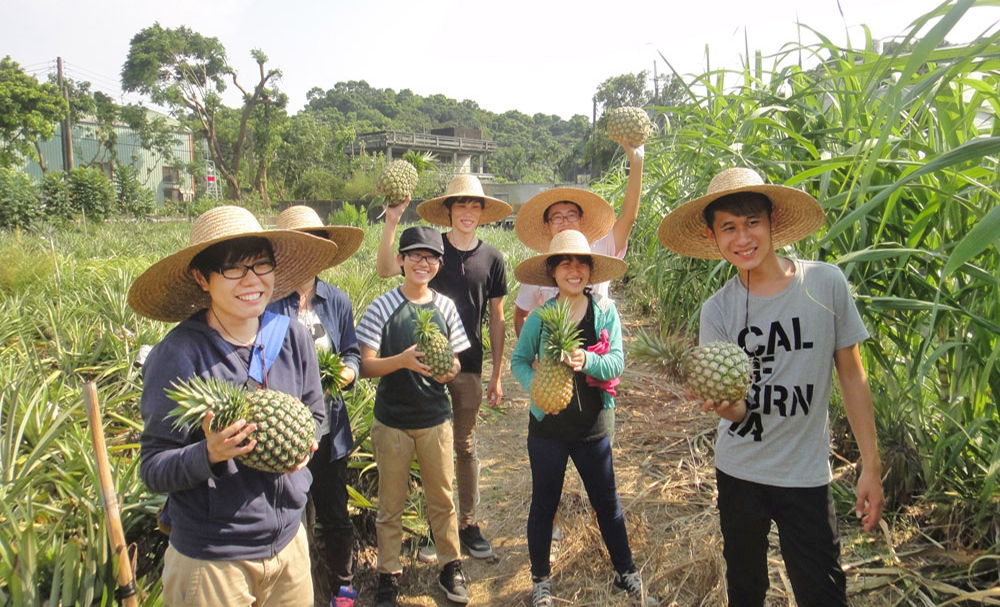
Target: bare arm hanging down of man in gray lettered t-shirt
{"points": [[861, 415]]}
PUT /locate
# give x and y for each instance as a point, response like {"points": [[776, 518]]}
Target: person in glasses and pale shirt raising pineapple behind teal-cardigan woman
{"points": [[545, 215]]}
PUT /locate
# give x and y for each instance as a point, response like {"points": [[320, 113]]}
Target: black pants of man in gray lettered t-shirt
{"points": [[807, 533]]}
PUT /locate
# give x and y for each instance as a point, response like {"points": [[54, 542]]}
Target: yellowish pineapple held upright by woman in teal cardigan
{"points": [[552, 386]]}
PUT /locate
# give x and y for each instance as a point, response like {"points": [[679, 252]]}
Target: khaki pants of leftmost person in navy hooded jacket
{"points": [[283, 580]]}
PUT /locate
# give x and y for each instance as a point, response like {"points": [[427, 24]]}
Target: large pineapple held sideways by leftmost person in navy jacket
{"points": [[285, 430]]}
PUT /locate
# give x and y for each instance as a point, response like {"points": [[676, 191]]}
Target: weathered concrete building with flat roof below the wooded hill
{"points": [[465, 149]]}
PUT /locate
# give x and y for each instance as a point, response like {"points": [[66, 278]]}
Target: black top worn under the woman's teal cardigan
{"points": [[585, 417]]}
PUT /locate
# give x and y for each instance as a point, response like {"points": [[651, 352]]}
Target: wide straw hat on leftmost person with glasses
{"points": [[167, 291]]}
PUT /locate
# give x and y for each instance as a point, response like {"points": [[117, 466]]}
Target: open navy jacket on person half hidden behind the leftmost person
{"points": [[334, 310]]}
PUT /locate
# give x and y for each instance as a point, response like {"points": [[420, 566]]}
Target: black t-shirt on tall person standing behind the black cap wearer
{"points": [[471, 279]]}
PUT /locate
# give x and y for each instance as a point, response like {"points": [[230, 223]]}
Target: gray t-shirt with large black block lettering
{"points": [[791, 338]]}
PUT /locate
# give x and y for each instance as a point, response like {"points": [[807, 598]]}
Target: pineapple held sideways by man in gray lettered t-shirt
{"points": [[719, 371]]}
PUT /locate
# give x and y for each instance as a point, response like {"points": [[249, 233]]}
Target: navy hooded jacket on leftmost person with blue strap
{"points": [[227, 511]]}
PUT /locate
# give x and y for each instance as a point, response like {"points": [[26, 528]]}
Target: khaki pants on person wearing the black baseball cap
{"points": [[394, 450]]}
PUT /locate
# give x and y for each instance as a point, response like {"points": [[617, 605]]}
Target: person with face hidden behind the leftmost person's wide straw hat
{"points": [[326, 311]]}
